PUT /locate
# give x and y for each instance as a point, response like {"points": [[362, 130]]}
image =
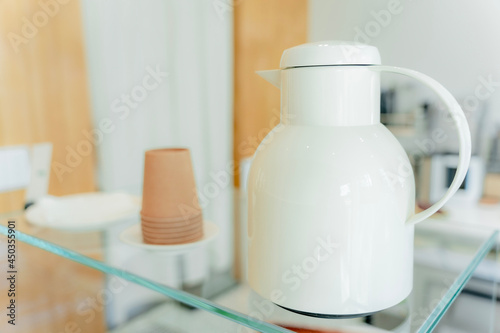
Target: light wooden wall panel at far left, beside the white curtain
{"points": [[43, 88]]}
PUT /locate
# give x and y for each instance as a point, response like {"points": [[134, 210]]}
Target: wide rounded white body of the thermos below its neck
{"points": [[327, 212]]}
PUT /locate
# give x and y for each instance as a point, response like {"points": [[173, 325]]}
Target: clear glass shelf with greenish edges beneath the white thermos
{"points": [[448, 257]]}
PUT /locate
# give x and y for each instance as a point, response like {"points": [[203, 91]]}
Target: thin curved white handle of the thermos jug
{"points": [[463, 136]]}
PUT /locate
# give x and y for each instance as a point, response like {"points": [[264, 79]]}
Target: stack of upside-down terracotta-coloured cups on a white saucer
{"points": [[170, 210]]}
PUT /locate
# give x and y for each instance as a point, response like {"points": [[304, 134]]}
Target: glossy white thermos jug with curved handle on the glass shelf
{"points": [[331, 191]]}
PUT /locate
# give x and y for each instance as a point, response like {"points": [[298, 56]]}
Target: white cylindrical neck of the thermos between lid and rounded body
{"points": [[346, 96]]}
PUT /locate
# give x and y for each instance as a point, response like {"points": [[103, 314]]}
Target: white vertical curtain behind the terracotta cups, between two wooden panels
{"points": [[160, 75]]}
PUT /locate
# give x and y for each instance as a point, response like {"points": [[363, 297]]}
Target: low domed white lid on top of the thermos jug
{"points": [[328, 53]]}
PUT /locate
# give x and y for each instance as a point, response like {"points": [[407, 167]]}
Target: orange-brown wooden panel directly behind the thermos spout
{"points": [[262, 30]]}
